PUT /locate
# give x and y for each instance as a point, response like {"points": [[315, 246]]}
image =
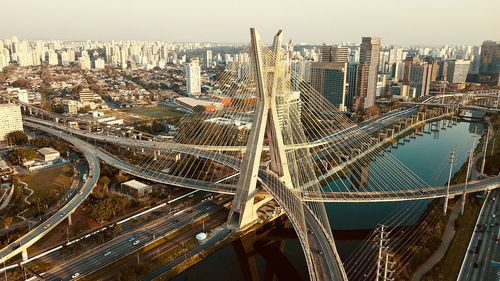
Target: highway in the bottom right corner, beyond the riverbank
{"points": [[484, 246]]}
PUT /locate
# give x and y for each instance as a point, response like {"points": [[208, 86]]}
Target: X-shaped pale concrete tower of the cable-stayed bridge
{"points": [[266, 121]]}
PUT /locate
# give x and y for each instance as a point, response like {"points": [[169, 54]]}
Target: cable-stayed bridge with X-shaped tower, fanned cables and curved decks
{"points": [[278, 136]]}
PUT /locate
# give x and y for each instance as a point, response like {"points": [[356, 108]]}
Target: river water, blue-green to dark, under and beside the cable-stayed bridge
{"points": [[265, 255]]}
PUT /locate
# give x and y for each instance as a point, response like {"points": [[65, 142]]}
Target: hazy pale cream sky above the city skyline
{"points": [[424, 22]]}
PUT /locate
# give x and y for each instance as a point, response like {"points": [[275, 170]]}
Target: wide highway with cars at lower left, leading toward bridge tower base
{"points": [[135, 240]]}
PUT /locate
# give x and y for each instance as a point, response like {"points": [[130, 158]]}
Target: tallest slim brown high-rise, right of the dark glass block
{"points": [[366, 83]]}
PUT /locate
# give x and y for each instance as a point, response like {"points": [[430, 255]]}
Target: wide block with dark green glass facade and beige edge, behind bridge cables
{"points": [[330, 79]]}
